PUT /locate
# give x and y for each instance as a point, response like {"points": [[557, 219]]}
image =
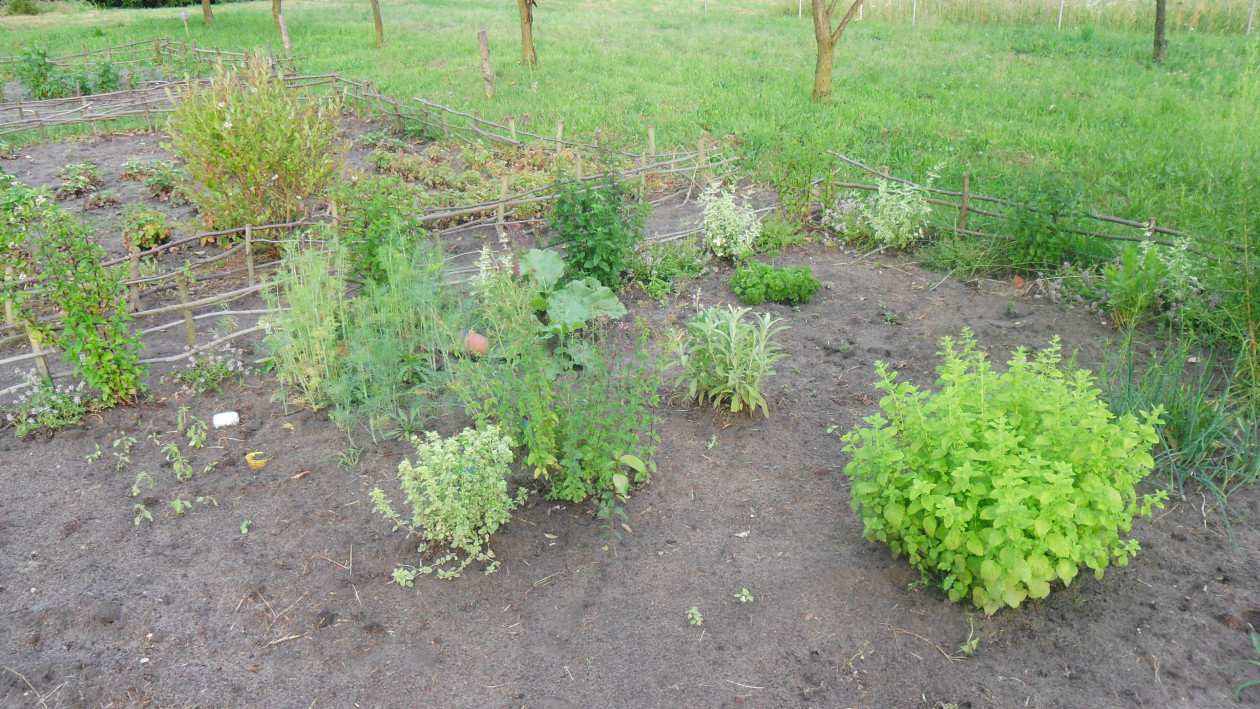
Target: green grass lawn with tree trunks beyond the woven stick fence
{"points": [[1015, 106]]}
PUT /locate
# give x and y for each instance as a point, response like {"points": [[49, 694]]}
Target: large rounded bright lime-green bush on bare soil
{"points": [[1000, 485]]}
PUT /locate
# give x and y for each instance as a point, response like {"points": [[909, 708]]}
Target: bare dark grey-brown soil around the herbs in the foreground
{"points": [[187, 611]]}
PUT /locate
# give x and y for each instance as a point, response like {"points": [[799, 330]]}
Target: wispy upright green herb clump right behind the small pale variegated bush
{"points": [[575, 421]]}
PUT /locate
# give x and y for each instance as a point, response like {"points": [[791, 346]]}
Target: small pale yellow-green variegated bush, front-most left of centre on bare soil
{"points": [[458, 493]]}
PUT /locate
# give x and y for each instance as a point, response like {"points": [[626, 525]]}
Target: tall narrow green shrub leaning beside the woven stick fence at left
{"points": [[96, 336]]}
